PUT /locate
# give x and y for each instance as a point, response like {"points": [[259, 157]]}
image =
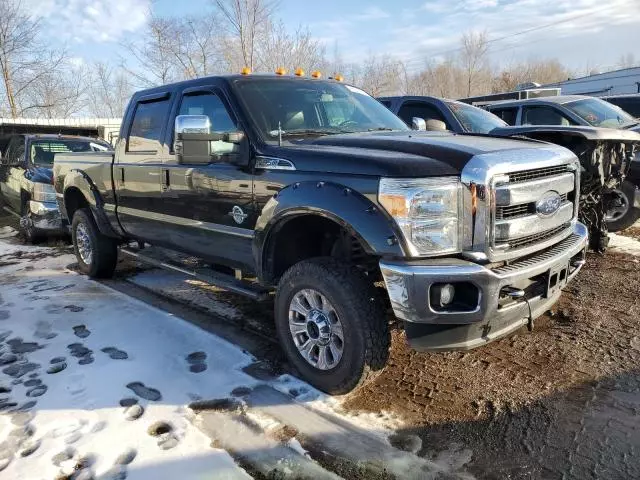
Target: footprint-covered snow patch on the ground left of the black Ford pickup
{"points": [[44, 309]]}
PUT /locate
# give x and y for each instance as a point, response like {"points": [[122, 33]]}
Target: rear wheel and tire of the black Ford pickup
{"points": [[101, 262]]}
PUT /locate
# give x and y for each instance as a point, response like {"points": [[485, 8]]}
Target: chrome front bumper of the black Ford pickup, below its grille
{"points": [[492, 314]]}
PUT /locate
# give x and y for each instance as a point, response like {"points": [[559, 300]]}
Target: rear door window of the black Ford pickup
{"points": [[146, 128]]}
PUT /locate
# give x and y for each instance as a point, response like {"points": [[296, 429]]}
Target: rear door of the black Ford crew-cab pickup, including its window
{"points": [[136, 175]]}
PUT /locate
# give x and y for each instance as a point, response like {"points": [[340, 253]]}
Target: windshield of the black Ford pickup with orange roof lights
{"points": [[295, 107]]}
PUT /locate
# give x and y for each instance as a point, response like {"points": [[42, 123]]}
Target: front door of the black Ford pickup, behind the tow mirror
{"points": [[210, 206]]}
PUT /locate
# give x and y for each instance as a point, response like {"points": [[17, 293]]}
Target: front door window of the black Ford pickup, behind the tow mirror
{"points": [[212, 106]]}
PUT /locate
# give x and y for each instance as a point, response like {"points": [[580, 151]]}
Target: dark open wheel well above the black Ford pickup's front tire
{"points": [[310, 236]]}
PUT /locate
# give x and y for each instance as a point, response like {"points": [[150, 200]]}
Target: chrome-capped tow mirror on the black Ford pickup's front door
{"points": [[195, 143]]}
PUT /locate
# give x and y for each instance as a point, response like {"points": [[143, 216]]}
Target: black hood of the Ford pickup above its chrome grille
{"points": [[395, 154]]}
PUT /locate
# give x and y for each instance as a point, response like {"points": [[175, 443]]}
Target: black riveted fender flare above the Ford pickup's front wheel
{"points": [[357, 214]]}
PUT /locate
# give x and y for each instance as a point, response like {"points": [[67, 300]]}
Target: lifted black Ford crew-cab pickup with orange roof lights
{"points": [[314, 191]]}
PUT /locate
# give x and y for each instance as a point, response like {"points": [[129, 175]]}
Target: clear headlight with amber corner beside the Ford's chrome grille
{"points": [[427, 210]]}
